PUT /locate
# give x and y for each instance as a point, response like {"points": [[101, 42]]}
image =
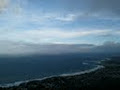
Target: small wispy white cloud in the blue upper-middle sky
{"points": [[69, 17]]}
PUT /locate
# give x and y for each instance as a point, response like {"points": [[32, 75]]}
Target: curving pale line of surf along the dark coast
{"points": [[61, 75]]}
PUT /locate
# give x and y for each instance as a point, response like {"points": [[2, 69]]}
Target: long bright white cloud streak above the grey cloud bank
{"points": [[48, 35]]}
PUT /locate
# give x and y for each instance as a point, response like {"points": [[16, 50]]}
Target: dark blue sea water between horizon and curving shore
{"points": [[13, 69]]}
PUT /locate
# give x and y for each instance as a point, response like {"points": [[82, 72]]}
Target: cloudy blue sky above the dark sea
{"points": [[27, 26]]}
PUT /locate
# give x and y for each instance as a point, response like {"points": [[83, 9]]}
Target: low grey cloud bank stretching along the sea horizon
{"points": [[20, 48]]}
